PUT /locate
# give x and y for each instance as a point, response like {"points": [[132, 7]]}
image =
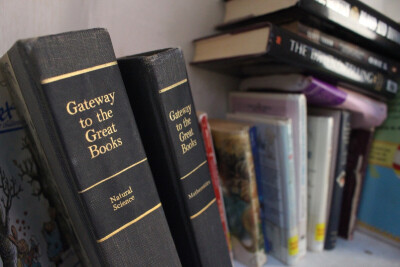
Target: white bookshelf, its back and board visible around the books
{"points": [[137, 26]]}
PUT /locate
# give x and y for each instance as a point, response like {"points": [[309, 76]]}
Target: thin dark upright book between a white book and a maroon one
{"points": [[339, 182]]}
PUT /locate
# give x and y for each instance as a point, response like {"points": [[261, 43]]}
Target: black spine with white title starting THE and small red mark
{"points": [[288, 47]]}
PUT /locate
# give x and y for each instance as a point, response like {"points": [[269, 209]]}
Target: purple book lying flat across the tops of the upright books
{"points": [[365, 111]]}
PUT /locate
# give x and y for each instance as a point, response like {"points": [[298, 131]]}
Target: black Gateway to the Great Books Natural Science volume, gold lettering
{"points": [[69, 90]]}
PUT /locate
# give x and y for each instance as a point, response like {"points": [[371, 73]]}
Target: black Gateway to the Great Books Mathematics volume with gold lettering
{"points": [[160, 94]]}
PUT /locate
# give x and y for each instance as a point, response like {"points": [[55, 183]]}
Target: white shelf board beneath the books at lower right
{"points": [[363, 251]]}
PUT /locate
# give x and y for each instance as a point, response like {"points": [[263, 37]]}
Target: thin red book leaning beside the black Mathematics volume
{"points": [[215, 179]]}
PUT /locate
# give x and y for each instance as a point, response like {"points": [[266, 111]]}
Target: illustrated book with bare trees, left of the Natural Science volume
{"points": [[31, 228]]}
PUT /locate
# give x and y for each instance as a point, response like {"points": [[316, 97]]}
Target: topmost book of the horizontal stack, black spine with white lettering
{"points": [[352, 20]]}
